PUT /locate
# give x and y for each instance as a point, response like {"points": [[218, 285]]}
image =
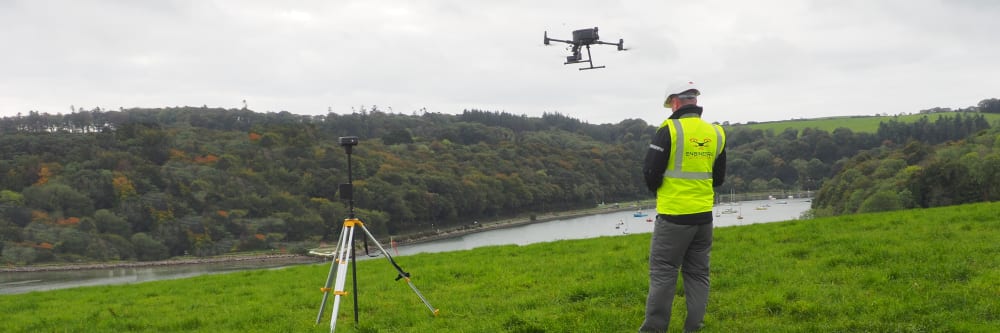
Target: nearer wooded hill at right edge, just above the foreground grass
{"points": [[916, 175]]}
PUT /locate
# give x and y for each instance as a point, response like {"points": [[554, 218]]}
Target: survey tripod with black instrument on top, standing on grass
{"points": [[345, 252]]}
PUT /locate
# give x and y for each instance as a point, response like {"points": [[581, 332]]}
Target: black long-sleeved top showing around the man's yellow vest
{"points": [[656, 163]]}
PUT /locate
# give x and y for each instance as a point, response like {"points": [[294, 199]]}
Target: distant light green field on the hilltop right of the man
{"points": [[863, 124]]}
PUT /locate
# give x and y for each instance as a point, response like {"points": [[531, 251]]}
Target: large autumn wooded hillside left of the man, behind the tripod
{"points": [[149, 184]]}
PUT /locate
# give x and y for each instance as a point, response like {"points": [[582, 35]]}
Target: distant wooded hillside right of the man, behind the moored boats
{"points": [[801, 160]]}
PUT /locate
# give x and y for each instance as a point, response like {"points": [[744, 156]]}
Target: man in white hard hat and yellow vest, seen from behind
{"points": [[685, 160]]}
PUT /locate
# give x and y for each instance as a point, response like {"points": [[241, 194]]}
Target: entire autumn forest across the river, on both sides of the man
{"points": [[149, 184]]}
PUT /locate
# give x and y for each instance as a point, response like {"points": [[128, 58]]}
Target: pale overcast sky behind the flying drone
{"points": [[753, 60]]}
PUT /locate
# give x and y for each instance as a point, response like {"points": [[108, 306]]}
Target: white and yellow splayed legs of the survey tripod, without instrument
{"points": [[338, 272]]}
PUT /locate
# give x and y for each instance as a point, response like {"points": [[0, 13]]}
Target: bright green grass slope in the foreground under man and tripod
{"points": [[933, 270]]}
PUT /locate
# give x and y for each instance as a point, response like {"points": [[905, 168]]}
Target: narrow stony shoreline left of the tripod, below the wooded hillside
{"points": [[289, 258]]}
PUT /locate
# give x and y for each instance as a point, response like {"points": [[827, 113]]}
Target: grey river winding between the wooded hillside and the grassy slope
{"points": [[608, 224]]}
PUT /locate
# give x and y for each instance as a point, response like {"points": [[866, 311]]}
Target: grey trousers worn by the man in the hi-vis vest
{"points": [[677, 247]]}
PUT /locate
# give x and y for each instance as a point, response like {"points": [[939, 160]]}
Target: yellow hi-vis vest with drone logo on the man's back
{"points": [[687, 182]]}
